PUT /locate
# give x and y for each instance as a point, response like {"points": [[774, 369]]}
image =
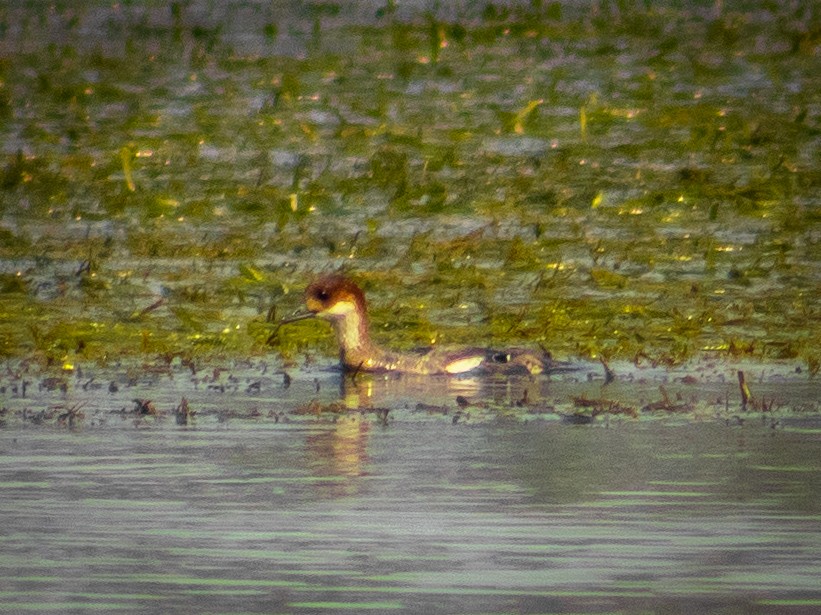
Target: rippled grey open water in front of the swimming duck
{"points": [[496, 512]]}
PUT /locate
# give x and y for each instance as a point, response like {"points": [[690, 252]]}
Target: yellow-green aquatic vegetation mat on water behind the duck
{"points": [[638, 181]]}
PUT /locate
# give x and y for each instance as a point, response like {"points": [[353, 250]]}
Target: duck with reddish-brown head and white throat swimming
{"points": [[337, 299]]}
